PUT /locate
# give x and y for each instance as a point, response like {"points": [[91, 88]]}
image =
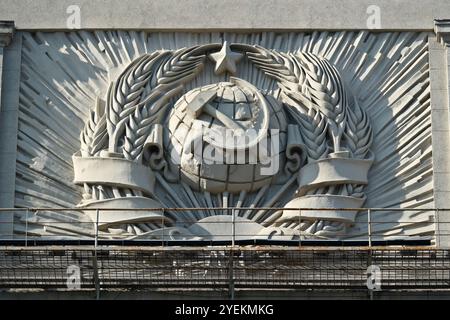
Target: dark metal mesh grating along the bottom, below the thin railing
{"points": [[223, 267]]}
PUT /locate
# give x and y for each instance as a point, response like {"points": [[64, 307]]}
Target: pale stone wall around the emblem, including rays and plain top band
{"points": [[53, 77]]}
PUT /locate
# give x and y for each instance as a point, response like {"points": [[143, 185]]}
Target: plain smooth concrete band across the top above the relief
{"points": [[224, 15]]}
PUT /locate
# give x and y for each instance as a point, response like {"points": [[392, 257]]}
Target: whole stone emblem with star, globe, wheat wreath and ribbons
{"points": [[150, 142]]}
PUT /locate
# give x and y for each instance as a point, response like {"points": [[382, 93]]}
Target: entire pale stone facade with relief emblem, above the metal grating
{"points": [[97, 117]]}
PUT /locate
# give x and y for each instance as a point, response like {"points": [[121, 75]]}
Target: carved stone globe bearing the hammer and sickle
{"points": [[232, 110]]}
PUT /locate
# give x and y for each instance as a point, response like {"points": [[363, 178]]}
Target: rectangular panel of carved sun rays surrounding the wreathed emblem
{"points": [[63, 73]]}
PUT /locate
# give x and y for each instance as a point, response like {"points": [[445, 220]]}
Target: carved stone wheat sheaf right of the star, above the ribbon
{"points": [[319, 102]]}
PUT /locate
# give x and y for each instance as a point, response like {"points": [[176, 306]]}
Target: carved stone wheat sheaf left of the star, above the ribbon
{"points": [[135, 99]]}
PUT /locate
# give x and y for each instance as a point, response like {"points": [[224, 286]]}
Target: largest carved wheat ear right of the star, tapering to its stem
{"points": [[307, 81]]}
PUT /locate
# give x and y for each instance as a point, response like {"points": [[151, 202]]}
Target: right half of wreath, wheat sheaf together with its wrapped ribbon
{"points": [[317, 99]]}
